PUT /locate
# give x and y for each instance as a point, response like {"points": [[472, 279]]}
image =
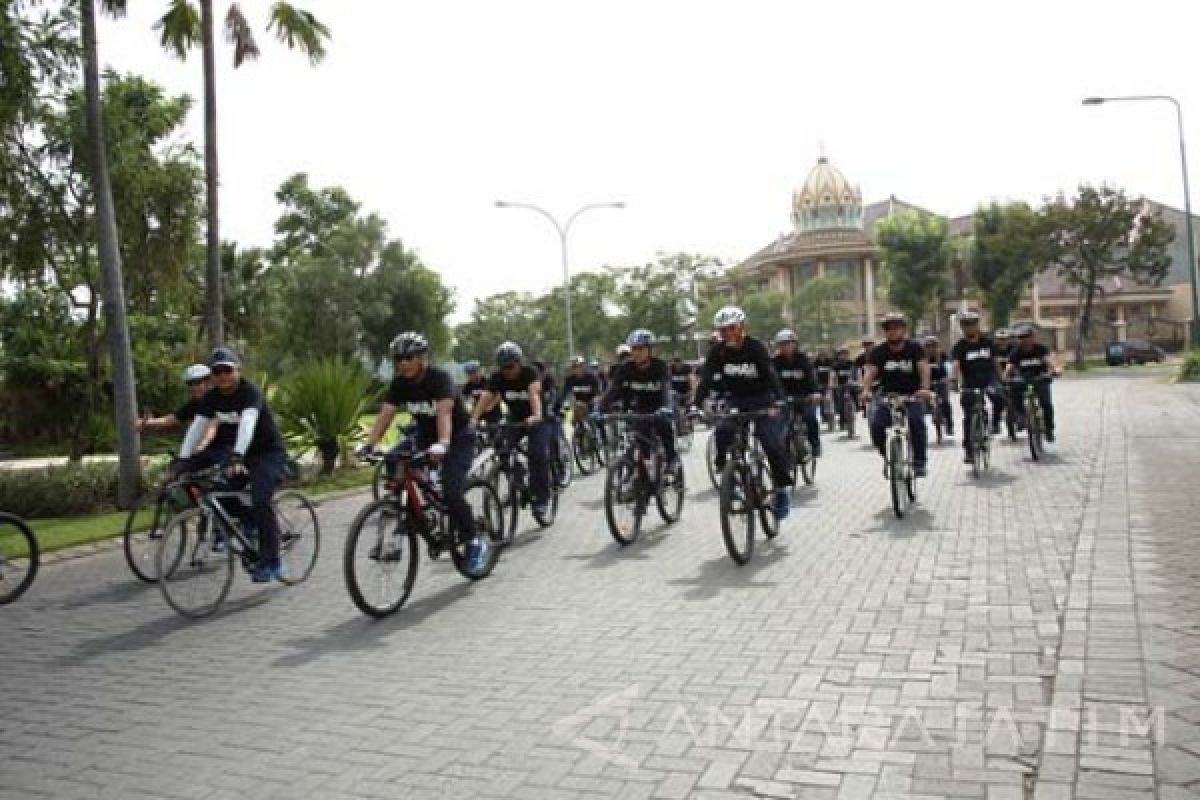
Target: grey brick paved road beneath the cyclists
{"points": [[986, 648]]}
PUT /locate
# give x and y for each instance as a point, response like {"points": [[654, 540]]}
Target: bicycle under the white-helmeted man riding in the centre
{"points": [[747, 489]]}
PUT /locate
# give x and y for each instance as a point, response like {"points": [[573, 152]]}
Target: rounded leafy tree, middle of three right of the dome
{"points": [[1009, 250]]}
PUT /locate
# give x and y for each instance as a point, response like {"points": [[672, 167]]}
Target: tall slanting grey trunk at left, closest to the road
{"points": [[124, 389]]}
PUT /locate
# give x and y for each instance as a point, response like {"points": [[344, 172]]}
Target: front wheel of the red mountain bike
{"points": [[380, 561]]}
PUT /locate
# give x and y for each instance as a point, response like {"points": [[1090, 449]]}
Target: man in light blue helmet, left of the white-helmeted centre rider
{"points": [[644, 386]]}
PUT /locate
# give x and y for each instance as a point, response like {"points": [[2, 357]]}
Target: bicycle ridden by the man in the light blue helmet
{"points": [[638, 476]]}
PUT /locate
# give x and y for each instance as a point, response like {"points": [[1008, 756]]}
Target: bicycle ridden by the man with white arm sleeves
{"points": [[199, 548]]}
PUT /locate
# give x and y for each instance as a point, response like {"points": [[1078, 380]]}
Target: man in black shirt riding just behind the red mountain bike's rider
{"points": [[520, 388]]}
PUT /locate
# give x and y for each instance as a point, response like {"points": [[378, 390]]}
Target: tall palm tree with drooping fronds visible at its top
{"points": [[183, 27]]}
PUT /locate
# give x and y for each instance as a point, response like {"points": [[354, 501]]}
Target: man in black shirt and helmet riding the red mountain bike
{"points": [[428, 394]]}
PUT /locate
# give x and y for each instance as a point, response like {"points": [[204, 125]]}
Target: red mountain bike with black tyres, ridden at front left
{"points": [[380, 560]]}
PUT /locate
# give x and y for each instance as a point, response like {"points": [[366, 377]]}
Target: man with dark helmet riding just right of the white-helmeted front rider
{"points": [[901, 368]]}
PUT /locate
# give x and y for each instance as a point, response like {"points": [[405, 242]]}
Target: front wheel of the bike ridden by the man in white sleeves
{"points": [[194, 578]]}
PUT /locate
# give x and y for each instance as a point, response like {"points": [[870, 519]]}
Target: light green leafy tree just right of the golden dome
{"points": [[916, 261]]}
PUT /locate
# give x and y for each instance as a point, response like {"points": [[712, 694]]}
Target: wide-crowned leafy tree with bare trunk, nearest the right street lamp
{"points": [[1103, 234]]}
